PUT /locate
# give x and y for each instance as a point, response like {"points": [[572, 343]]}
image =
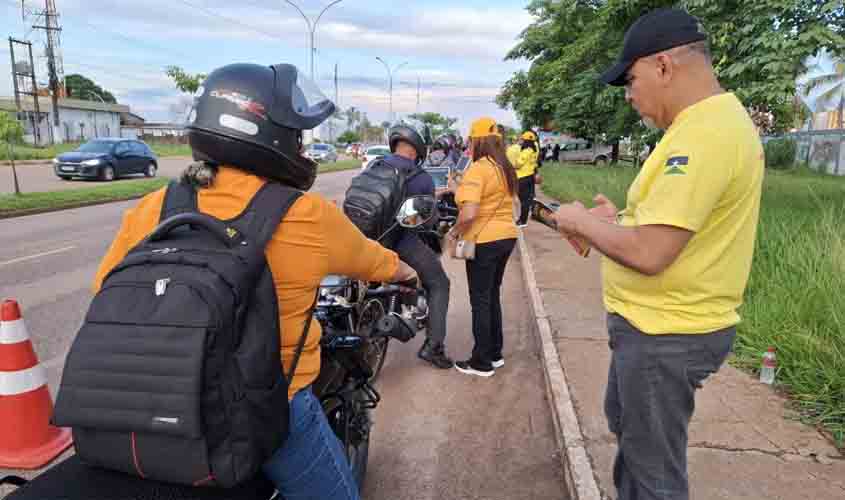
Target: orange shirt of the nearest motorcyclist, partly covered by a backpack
{"points": [[314, 239]]}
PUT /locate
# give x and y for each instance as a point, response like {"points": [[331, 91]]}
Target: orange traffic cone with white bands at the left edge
{"points": [[27, 440]]}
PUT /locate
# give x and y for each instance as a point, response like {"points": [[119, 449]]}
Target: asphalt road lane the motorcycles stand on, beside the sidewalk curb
{"points": [[437, 434]]}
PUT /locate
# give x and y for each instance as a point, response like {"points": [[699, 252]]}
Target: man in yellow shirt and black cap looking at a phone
{"points": [[677, 258]]}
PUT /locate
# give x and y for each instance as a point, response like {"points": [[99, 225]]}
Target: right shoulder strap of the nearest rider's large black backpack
{"points": [[269, 207]]}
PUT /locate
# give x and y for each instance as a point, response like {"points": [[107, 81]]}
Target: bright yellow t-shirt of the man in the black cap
{"points": [[706, 176]]}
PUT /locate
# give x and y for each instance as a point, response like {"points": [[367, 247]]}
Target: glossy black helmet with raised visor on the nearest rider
{"points": [[252, 116]]}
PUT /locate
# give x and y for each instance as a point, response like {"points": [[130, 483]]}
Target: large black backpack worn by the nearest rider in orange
{"points": [[176, 373]]}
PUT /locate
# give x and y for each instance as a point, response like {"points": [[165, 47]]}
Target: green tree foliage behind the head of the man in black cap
{"points": [[759, 47]]}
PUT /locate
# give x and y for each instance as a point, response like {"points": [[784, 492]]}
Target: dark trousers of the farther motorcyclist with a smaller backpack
{"points": [[426, 263]]}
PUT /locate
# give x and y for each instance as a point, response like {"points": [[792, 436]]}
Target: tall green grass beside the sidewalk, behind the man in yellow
{"points": [[794, 300]]}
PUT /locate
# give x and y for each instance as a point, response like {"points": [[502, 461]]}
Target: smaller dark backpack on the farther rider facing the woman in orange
{"points": [[374, 197]]}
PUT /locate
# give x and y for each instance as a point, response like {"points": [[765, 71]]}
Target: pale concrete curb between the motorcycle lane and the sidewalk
{"points": [[578, 473]]}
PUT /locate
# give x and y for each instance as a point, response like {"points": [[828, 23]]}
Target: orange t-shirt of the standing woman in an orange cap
{"points": [[484, 184]]}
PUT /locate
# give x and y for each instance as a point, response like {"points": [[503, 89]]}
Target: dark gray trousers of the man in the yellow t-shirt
{"points": [[649, 404]]}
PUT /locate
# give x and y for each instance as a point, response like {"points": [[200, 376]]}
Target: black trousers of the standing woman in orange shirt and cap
{"points": [[484, 276]]}
